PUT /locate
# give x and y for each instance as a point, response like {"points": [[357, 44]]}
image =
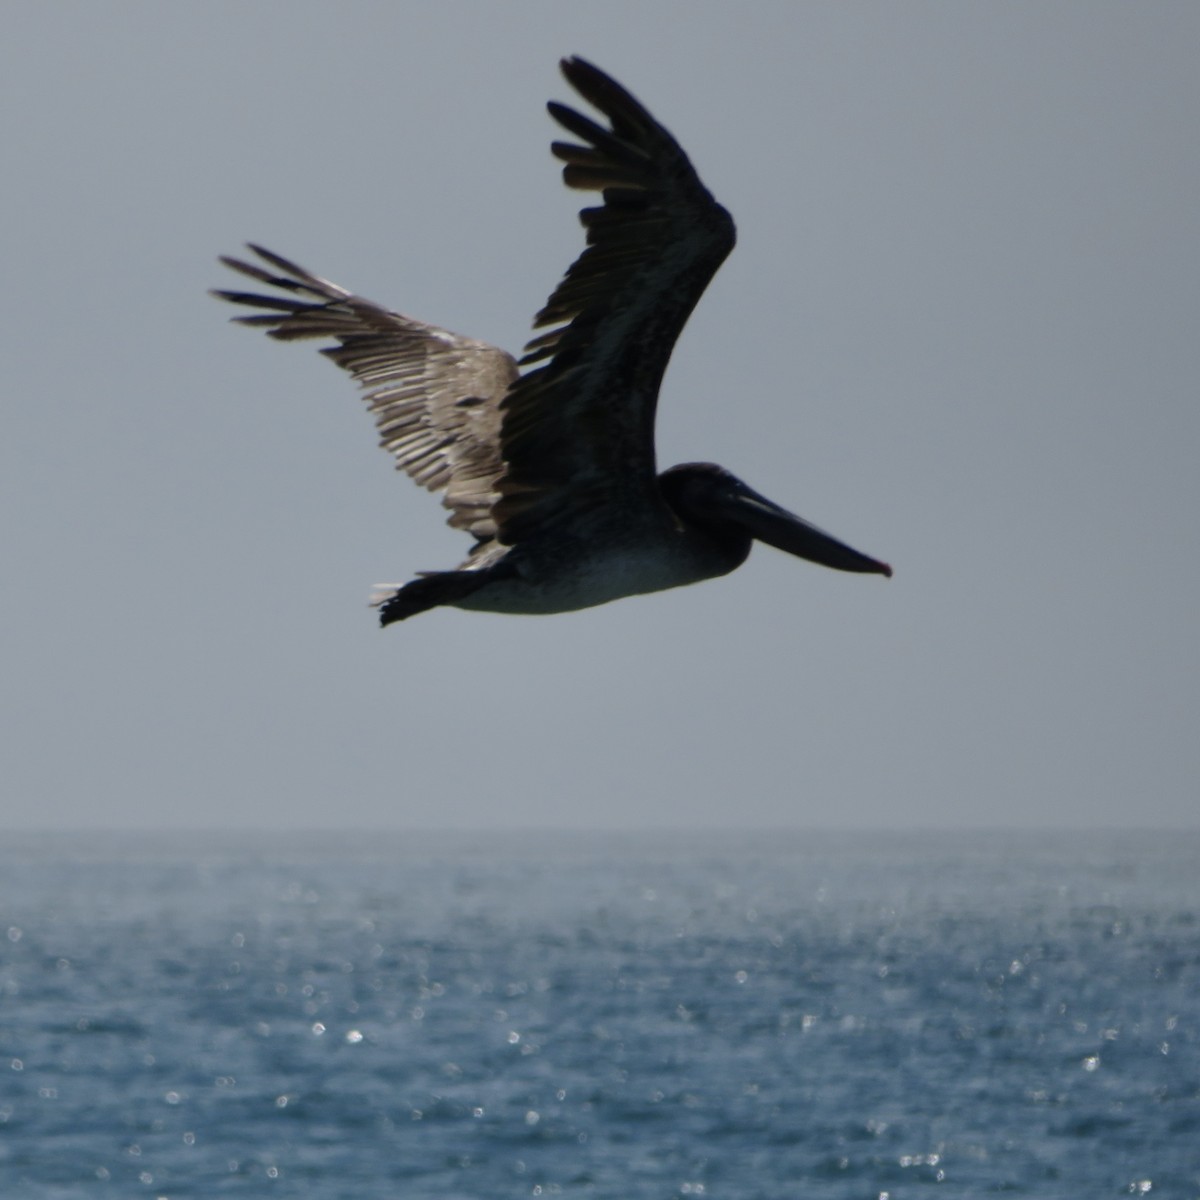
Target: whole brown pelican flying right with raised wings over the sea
{"points": [[551, 469]]}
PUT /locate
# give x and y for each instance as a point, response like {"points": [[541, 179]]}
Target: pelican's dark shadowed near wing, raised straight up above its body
{"points": [[579, 430]]}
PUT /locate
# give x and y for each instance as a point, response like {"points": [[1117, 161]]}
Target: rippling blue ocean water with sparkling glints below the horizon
{"points": [[490, 1017]]}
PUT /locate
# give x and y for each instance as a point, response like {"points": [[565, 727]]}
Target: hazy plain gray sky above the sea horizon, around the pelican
{"points": [[961, 331]]}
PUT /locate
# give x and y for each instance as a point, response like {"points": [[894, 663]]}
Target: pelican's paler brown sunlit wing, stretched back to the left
{"points": [[435, 395]]}
